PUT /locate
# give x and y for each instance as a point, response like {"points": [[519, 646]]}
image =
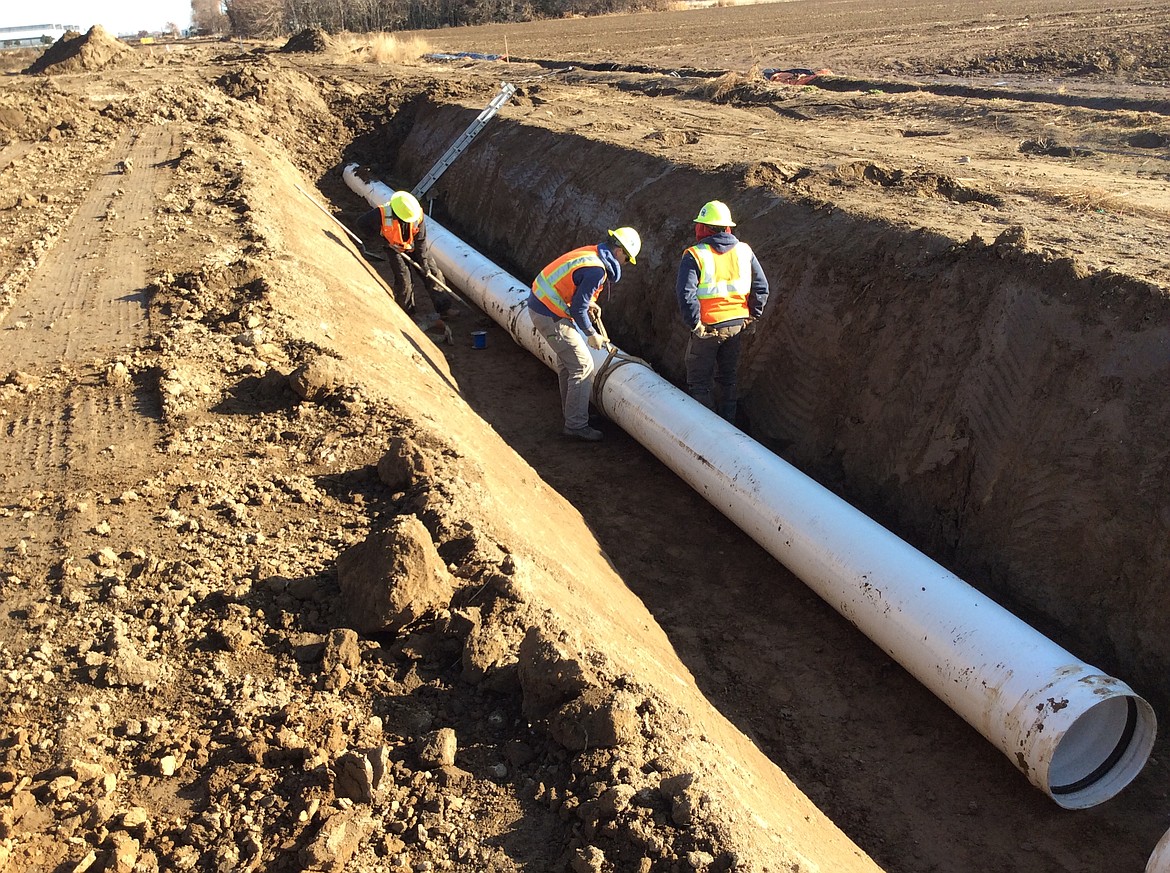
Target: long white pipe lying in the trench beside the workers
{"points": [[1078, 734]]}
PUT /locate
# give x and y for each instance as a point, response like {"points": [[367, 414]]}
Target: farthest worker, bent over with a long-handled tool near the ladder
{"points": [[402, 225]]}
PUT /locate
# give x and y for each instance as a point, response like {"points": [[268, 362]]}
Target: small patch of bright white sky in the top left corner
{"points": [[119, 17]]}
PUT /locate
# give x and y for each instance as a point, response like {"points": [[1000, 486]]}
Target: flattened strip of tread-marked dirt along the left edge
{"points": [[84, 308]]}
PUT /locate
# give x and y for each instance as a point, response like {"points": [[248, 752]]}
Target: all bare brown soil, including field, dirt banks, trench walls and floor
{"points": [[210, 397]]}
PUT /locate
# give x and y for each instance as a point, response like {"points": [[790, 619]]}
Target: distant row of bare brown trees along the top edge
{"points": [[266, 19]]}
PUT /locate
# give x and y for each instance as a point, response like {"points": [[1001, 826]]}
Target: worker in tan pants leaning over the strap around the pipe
{"points": [[560, 308]]}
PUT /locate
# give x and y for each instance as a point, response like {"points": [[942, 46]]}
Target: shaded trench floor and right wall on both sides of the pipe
{"points": [[996, 409]]}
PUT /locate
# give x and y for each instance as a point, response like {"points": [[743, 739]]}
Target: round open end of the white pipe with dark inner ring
{"points": [[1102, 752]]}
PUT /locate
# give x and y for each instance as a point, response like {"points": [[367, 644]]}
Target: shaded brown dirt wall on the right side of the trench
{"points": [[1001, 411]]}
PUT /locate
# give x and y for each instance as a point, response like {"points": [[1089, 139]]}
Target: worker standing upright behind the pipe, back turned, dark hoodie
{"points": [[721, 290]]}
